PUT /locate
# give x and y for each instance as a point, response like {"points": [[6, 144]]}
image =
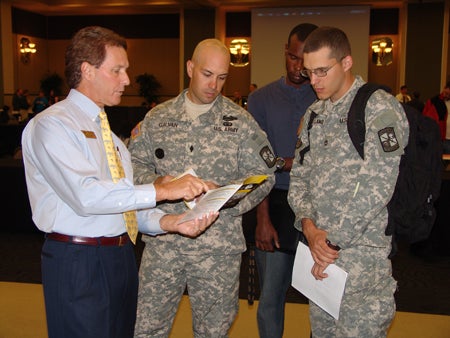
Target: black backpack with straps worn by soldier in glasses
{"points": [[411, 211]]}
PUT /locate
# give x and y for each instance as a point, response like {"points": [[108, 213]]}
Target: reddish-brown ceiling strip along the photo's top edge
{"points": [[90, 7]]}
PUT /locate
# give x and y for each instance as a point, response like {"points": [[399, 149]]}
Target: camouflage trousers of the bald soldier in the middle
{"points": [[212, 283]]}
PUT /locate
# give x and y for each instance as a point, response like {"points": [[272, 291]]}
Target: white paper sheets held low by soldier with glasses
{"points": [[326, 293]]}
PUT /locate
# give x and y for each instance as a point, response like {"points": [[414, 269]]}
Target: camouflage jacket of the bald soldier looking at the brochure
{"points": [[222, 145]]}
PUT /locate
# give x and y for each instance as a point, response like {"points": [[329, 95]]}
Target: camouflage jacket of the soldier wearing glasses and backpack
{"points": [[343, 194]]}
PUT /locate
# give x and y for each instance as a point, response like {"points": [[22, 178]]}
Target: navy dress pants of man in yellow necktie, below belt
{"points": [[89, 291]]}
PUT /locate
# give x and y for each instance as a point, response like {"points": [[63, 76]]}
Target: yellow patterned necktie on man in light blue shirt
{"points": [[115, 166]]}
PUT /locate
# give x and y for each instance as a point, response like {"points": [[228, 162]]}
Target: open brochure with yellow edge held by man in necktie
{"points": [[223, 197]]}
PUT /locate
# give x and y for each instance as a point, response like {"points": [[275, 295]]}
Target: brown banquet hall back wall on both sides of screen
{"points": [[160, 44]]}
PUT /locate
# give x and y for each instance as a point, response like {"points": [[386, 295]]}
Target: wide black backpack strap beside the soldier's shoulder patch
{"points": [[356, 118]]}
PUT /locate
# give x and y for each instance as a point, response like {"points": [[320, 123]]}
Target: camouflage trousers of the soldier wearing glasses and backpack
{"points": [[366, 313]]}
